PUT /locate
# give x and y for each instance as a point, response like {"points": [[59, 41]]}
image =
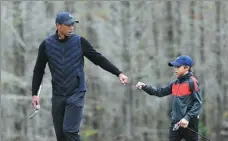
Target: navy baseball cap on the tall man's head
{"points": [[65, 18]]}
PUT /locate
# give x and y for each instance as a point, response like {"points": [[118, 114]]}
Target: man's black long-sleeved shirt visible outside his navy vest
{"points": [[88, 51]]}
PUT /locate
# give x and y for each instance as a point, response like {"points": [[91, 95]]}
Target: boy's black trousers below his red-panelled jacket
{"points": [[185, 133]]}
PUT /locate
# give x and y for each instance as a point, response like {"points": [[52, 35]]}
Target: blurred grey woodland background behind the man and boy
{"points": [[140, 38]]}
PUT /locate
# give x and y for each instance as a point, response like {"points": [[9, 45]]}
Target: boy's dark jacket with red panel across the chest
{"points": [[186, 100]]}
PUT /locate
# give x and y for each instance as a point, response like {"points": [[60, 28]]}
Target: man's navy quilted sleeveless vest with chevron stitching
{"points": [[66, 63]]}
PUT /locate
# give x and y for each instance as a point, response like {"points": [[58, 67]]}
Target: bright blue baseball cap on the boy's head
{"points": [[182, 60]]}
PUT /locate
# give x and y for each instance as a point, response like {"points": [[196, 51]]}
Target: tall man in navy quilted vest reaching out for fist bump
{"points": [[64, 52]]}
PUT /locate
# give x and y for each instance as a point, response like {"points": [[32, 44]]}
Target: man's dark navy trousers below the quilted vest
{"points": [[67, 116]]}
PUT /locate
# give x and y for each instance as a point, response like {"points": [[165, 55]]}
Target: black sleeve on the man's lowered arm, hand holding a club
{"points": [[39, 68]]}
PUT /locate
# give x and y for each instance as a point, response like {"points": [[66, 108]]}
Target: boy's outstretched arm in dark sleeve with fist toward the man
{"points": [[160, 92]]}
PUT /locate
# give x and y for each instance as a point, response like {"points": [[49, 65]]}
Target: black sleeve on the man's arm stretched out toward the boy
{"points": [[98, 59]]}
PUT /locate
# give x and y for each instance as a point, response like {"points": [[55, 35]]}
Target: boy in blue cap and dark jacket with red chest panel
{"points": [[186, 100]]}
